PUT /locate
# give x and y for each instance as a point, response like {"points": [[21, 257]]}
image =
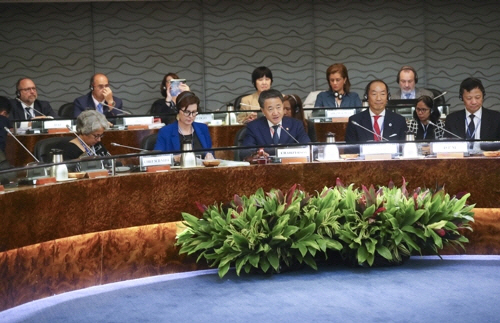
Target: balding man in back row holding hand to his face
{"points": [[100, 98]]}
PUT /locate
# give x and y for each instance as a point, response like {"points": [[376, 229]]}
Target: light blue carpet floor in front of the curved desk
{"points": [[425, 289]]}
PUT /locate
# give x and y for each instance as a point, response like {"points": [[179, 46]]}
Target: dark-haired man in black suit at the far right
{"points": [[475, 121]]}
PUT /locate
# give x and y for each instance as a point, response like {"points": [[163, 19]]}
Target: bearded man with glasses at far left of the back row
{"points": [[26, 105]]}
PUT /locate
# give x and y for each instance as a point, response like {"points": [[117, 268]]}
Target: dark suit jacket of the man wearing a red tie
{"points": [[394, 127]]}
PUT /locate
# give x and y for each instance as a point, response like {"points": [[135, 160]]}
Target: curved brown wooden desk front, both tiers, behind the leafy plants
{"points": [[72, 235]]}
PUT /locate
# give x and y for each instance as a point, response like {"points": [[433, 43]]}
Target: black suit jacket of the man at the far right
{"points": [[490, 124]]}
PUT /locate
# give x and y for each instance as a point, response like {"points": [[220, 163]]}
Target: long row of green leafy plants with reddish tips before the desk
{"points": [[272, 231]]}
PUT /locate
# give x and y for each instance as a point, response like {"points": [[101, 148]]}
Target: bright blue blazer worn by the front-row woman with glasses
{"points": [[168, 137]]}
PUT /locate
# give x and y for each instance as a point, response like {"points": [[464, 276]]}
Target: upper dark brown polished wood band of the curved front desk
{"points": [[34, 215]]}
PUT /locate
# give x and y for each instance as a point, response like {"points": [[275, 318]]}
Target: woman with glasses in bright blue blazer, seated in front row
{"points": [[172, 136]]}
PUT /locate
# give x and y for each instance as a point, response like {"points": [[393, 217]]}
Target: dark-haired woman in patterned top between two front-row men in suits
{"points": [[425, 111]]}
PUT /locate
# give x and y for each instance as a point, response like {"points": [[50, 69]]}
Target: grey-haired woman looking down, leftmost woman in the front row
{"points": [[90, 127]]}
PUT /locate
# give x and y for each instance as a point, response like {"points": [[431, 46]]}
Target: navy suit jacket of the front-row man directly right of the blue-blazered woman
{"points": [[258, 133]]}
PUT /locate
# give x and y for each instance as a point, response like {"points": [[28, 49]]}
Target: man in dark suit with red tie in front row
{"points": [[382, 124]]}
